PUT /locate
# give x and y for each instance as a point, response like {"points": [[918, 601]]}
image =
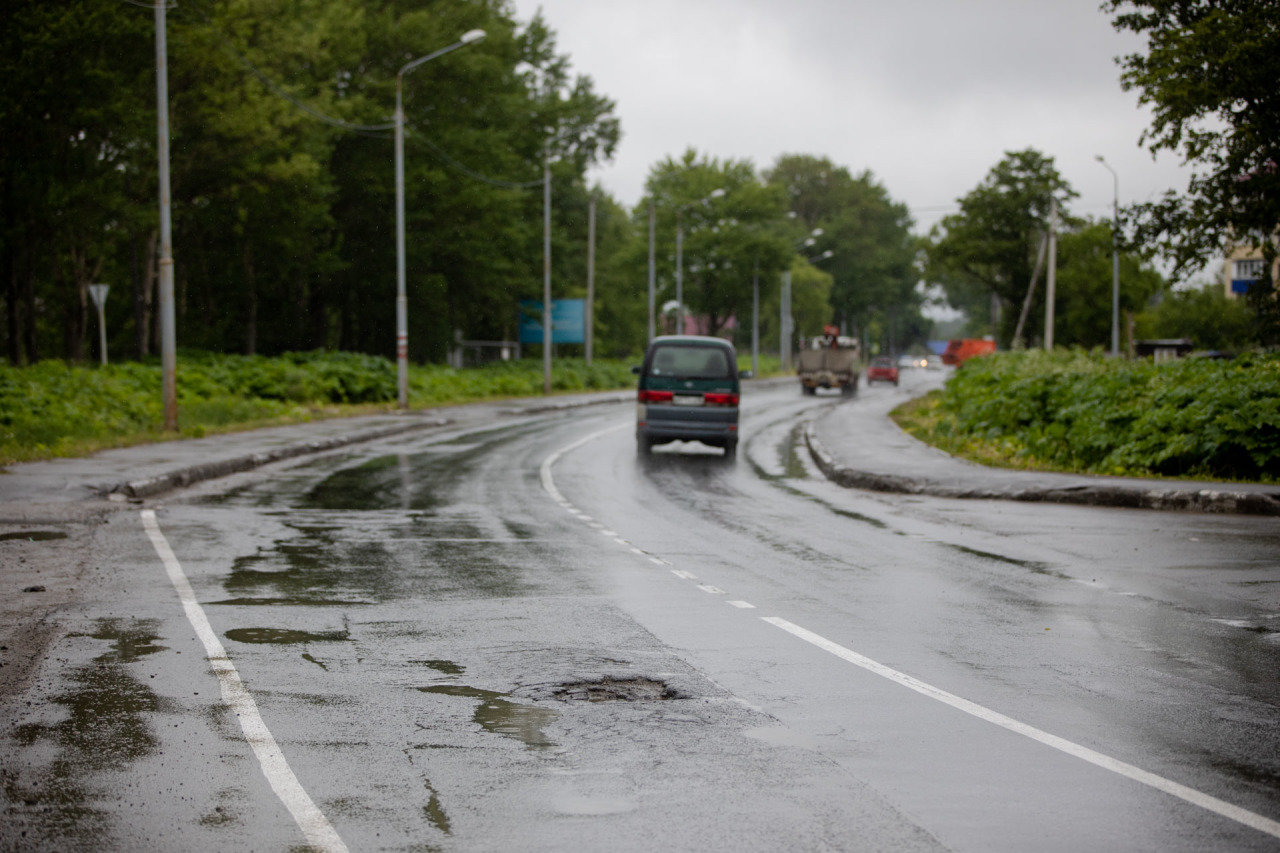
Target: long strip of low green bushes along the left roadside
{"points": [[54, 409]]}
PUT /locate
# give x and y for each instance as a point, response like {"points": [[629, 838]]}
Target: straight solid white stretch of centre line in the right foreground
{"points": [[1062, 745]]}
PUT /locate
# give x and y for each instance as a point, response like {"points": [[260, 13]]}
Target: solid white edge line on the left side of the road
{"points": [[316, 827]]}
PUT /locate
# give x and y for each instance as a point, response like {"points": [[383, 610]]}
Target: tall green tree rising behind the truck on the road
{"points": [[870, 235]]}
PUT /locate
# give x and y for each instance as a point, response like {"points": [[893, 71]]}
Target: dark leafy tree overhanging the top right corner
{"points": [[1213, 76]]}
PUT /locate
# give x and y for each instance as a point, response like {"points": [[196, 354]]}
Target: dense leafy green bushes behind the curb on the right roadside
{"points": [[1087, 413]]}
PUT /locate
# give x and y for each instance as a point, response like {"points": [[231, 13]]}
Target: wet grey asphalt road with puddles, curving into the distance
{"points": [[422, 626]]}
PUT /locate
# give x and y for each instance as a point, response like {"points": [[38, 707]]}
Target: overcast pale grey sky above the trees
{"points": [[926, 94]]}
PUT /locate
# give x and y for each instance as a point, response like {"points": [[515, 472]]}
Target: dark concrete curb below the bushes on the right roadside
{"points": [[1110, 496]]}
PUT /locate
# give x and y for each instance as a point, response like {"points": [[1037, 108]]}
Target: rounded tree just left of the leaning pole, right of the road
{"points": [[988, 252]]}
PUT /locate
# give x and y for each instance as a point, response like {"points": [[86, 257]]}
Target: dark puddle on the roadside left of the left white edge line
{"points": [[106, 729]]}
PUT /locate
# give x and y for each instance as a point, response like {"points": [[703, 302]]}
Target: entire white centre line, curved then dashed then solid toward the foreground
{"points": [[1085, 754]]}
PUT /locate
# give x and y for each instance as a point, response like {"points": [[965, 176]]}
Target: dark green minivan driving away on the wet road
{"points": [[688, 391]]}
